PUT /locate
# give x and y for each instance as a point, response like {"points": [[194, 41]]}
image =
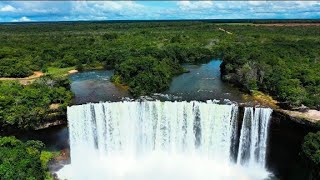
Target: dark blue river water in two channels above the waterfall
{"points": [[201, 83]]}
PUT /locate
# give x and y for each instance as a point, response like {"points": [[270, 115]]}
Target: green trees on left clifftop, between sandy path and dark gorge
{"points": [[28, 106]]}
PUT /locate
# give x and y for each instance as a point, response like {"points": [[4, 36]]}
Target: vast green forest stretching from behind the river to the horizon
{"points": [[281, 61]]}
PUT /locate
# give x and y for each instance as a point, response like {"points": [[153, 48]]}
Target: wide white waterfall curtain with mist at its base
{"points": [[152, 140]]}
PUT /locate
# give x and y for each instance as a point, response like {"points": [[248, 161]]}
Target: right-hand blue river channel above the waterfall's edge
{"points": [[203, 82]]}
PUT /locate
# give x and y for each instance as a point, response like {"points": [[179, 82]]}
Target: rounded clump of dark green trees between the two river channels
{"points": [[146, 74]]}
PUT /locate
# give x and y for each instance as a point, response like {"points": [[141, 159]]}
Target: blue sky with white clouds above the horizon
{"points": [[19, 11]]}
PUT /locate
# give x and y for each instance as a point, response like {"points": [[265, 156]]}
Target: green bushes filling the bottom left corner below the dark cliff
{"points": [[20, 160]]}
